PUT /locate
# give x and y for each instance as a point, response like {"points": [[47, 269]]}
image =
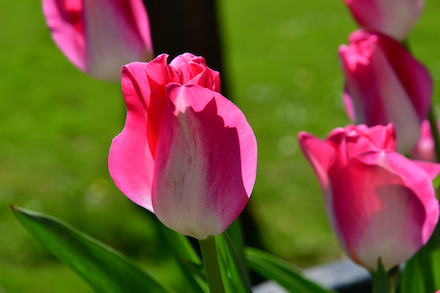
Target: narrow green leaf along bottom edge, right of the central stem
{"points": [[281, 271]]}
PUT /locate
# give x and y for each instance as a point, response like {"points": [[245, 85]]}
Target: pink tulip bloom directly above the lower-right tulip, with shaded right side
{"points": [[384, 84]]}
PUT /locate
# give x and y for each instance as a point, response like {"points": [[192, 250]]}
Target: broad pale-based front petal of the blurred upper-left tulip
{"points": [[112, 38]]}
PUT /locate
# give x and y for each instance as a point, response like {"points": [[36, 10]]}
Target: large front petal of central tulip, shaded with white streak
{"points": [[205, 162]]}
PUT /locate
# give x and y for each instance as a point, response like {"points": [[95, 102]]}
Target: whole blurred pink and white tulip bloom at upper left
{"points": [[99, 36]]}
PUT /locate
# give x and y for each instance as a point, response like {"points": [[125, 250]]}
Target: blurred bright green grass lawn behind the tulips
{"points": [[57, 125]]}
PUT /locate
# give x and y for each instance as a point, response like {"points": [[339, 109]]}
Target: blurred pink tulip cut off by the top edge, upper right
{"points": [[391, 17]]}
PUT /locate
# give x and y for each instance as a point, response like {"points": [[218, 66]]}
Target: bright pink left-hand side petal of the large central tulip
{"points": [[131, 162]]}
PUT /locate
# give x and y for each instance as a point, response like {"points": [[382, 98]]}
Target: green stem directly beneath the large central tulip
{"points": [[212, 268]]}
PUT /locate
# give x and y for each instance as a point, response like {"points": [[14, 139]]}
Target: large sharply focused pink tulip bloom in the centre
{"points": [[186, 153]]}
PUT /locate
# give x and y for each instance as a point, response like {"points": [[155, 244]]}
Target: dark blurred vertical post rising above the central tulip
{"points": [[179, 26]]}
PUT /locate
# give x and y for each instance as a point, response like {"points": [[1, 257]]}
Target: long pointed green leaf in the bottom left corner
{"points": [[105, 269]]}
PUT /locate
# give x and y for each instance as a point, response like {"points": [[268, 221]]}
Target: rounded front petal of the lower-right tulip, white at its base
{"points": [[385, 207]]}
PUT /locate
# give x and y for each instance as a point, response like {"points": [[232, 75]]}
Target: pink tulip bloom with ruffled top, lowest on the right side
{"points": [[379, 203]]}
